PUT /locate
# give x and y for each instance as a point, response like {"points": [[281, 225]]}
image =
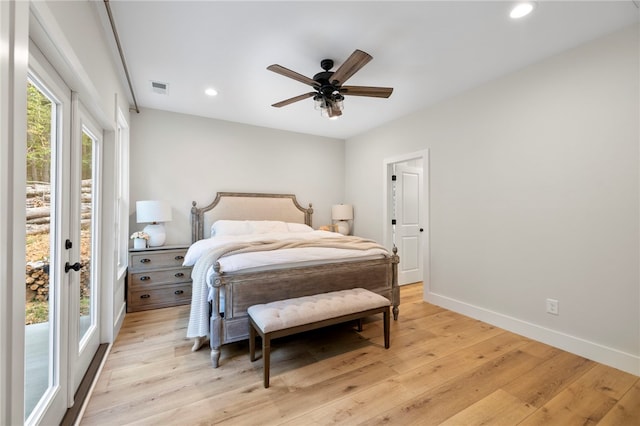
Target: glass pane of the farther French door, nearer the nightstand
{"points": [[87, 197]]}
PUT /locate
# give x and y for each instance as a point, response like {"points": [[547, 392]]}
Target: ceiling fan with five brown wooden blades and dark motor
{"points": [[328, 85]]}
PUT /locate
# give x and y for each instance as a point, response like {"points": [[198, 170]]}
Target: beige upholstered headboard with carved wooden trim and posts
{"points": [[247, 206]]}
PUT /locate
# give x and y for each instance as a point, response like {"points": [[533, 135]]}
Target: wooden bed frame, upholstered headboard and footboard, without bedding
{"points": [[243, 289]]}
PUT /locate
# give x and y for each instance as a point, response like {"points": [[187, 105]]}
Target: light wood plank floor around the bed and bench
{"points": [[442, 368]]}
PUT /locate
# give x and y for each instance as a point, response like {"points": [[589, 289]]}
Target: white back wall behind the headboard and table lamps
{"points": [[183, 158]]}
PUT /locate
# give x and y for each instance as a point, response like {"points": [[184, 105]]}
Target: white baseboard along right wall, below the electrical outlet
{"points": [[591, 350]]}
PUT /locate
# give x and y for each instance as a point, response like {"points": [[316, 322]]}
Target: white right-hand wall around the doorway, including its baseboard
{"points": [[534, 195]]}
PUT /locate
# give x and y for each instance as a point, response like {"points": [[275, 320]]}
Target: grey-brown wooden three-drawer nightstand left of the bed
{"points": [[157, 279]]}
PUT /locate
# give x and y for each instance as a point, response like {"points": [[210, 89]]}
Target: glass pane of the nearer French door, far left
{"points": [[40, 273]]}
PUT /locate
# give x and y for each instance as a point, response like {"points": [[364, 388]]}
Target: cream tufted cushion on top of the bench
{"points": [[288, 313]]}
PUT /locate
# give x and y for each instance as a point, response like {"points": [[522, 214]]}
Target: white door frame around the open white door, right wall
{"points": [[387, 171]]}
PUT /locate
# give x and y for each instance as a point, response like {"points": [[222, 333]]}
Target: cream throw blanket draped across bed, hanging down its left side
{"points": [[199, 317]]}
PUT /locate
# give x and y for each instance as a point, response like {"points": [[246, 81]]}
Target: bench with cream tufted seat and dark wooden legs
{"points": [[291, 316]]}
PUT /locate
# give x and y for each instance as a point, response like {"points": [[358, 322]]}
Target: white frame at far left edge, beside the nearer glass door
{"points": [[14, 46]]}
